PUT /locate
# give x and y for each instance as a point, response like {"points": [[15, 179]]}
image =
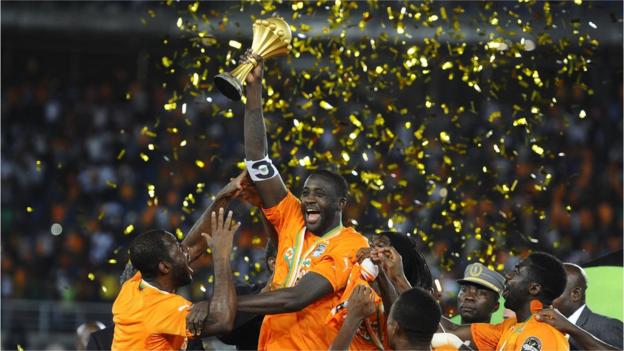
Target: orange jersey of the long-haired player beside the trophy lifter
{"points": [[372, 332]]}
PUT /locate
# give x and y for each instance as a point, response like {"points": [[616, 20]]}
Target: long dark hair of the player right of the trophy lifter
{"points": [[415, 266]]}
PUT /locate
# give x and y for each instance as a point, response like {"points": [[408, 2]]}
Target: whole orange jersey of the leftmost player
{"points": [[147, 318]]}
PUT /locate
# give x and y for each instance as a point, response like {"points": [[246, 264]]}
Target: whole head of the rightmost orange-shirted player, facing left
{"points": [[540, 276]]}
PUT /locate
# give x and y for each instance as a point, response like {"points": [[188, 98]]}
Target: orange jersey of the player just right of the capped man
{"points": [[509, 335]]}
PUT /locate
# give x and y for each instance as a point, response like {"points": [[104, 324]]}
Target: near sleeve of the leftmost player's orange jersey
{"points": [[170, 317]]}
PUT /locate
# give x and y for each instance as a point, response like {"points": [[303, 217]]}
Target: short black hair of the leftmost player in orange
{"points": [[148, 250]]}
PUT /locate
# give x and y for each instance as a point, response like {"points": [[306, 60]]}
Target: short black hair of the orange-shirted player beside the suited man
{"points": [[548, 271]]}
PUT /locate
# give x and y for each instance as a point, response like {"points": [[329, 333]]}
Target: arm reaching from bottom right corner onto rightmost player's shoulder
{"points": [[582, 337]]}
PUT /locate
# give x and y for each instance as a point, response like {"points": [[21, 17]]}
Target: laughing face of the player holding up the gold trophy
{"points": [[319, 204]]}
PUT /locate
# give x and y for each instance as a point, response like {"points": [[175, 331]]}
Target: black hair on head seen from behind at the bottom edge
{"points": [[418, 314]]}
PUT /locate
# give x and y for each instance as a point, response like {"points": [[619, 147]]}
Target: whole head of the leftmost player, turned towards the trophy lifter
{"points": [[157, 253]]}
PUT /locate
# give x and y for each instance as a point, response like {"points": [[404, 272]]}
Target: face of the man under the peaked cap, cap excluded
{"points": [[476, 303]]}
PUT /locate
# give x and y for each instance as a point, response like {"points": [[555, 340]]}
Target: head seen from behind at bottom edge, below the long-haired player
{"points": [[413, 319]]}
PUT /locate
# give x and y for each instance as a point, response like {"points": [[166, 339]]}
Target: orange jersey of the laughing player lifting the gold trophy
{"points": [[298, 253]]}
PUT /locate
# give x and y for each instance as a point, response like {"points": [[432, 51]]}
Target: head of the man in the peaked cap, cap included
{"points": [[478, 293]]}
